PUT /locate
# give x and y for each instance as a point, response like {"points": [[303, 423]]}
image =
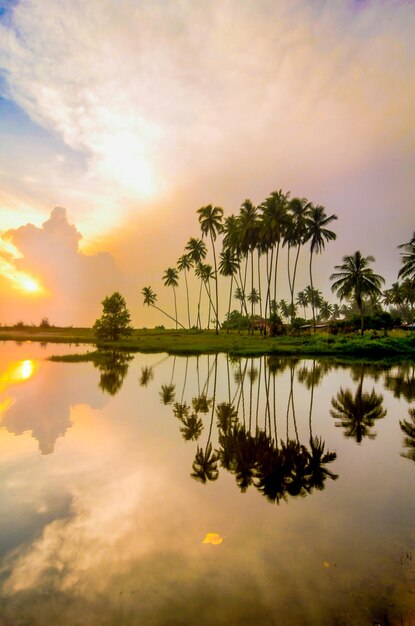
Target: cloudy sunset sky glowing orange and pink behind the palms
{"points": [[120, 118]]}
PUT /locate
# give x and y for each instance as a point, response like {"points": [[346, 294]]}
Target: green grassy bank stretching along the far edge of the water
{"points": [[397, 343]]}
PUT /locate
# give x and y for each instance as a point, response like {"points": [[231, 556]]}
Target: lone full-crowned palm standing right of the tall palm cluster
{"points": [[356, 279]]}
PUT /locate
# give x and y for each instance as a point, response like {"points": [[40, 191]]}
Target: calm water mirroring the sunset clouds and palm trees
{"points": [[152, 490]]}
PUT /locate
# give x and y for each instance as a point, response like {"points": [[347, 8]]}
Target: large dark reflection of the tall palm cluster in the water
{"points": [[245, 448]]}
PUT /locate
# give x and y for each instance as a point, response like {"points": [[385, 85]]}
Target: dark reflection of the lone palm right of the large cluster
{"points": [[357, 413]]}
